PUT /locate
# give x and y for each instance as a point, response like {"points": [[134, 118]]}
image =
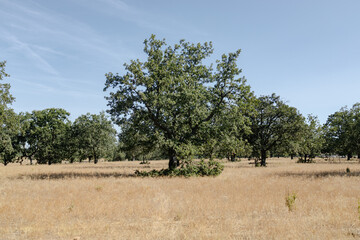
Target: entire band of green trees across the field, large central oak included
{"points": [[175, 106]]}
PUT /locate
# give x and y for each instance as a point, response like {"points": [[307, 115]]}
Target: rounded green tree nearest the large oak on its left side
{"points": [[95, 135]]}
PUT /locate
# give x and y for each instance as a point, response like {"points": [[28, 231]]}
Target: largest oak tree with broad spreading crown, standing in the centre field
{"points": [[173, 96]]}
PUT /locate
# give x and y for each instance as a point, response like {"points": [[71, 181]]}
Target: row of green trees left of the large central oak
{"points": [[48, 136]]}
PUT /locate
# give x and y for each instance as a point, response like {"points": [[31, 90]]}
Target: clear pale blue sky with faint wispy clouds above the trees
{"points": [[58, 52]]}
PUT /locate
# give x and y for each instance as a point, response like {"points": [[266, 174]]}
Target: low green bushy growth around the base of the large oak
{"points": [[188, 169]]}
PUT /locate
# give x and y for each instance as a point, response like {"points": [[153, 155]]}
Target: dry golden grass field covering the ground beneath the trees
{"points": [[105, 201]]}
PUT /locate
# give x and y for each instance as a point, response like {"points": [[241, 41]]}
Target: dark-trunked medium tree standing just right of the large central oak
{"points": [[275, 126]]}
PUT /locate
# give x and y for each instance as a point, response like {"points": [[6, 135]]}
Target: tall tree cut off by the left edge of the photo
{"points": [[8, 120]]}
